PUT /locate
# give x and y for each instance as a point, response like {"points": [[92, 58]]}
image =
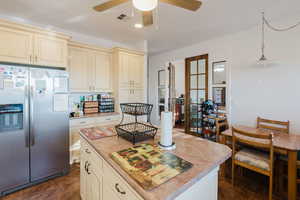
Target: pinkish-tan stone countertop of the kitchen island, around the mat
{"points": [[203, 154]]}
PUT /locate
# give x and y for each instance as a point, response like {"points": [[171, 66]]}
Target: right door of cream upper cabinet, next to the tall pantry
{"points": [[103, 72]]}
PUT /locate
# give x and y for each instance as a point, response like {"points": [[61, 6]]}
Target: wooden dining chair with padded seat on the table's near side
{"points": [[255, 160]]}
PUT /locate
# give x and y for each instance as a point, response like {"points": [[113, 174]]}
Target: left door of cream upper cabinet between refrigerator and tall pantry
{"points": [[79, 70]]}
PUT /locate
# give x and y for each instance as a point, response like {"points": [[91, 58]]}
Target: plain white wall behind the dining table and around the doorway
{"points": [[271, 92]]}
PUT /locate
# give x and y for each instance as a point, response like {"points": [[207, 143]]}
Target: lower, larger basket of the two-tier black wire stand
{"points": [[136, 131]]}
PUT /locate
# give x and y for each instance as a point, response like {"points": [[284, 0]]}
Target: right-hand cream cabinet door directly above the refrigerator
{"points": [[50, 51]]}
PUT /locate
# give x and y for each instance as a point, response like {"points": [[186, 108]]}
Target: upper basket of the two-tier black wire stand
{"points": [[136, 109]]}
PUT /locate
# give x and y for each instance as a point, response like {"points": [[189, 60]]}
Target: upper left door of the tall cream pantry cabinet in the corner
{"points": [[124, 69]]}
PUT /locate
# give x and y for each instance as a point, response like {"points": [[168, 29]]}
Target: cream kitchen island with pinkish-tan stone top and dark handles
{"points": [[102, 178]]}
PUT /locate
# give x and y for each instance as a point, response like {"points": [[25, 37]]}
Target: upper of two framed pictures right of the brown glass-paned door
{"points": [[219, 73]]}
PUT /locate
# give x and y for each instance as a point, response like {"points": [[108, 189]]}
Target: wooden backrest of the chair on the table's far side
{"points": [[273, 125]]}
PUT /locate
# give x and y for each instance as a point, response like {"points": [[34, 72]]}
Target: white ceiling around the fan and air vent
{"points": [[177, 27]]}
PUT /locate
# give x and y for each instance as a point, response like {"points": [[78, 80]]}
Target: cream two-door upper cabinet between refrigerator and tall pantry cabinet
{"points": [[90, 69]]}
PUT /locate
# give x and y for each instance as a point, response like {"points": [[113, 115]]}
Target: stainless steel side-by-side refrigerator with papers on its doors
{"points": [[34, 125]]}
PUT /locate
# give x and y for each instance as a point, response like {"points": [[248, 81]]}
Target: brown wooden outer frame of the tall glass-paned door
{"points": [[187, 87]]}
